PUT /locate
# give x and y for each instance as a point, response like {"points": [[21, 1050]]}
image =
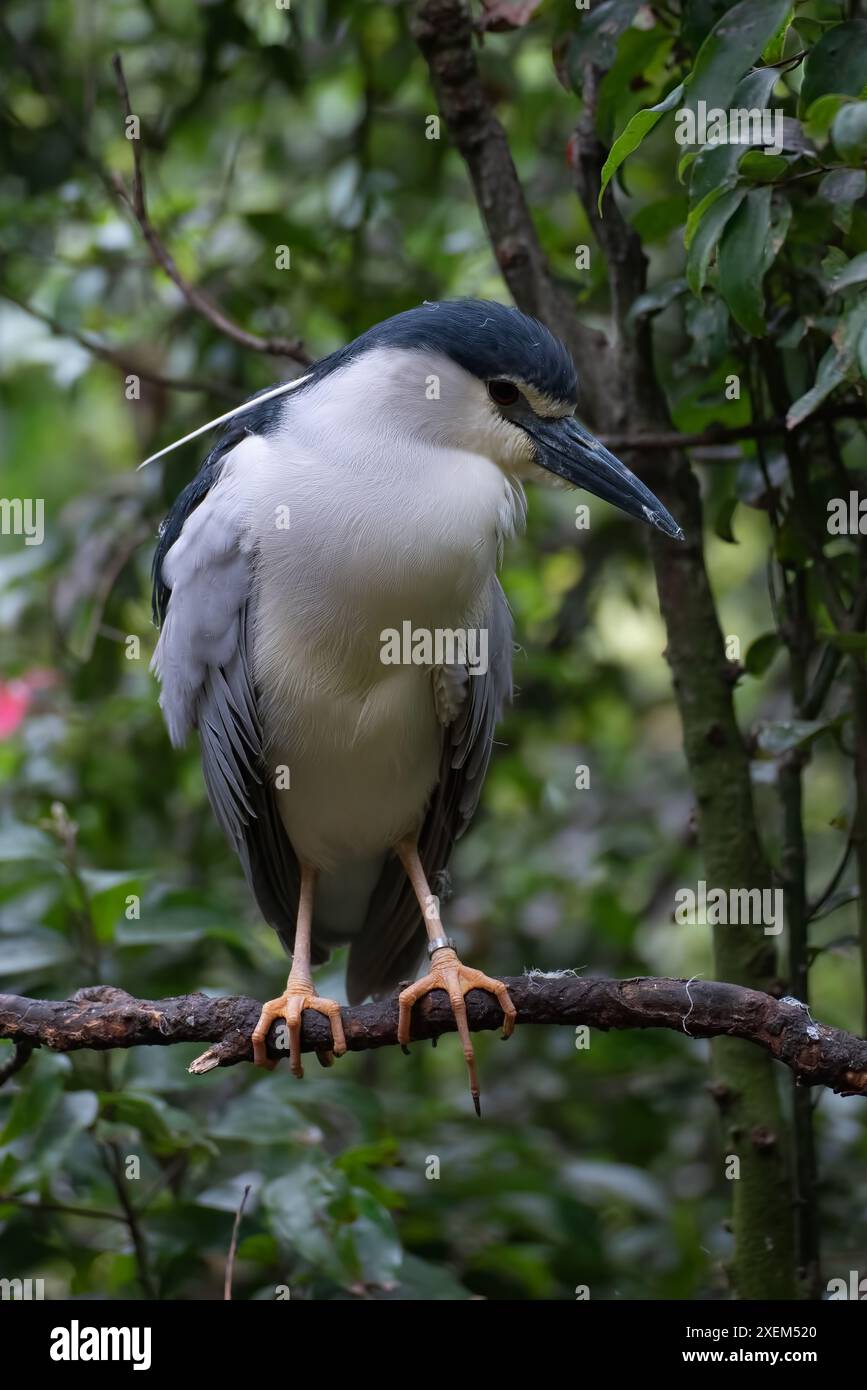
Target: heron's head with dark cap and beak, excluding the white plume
{"points": [[481, 377]]}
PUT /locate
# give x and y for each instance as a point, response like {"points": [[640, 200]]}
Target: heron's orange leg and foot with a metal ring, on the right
{"points": [[448, 972]]}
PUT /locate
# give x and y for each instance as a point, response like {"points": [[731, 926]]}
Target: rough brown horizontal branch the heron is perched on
{"points": [[104, 1018]]}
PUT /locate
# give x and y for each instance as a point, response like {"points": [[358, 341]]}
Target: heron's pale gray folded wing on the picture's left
{"points": [[202, 661]]}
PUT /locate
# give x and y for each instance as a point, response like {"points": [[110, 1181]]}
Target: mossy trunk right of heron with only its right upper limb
{"points": [[729, 835]]}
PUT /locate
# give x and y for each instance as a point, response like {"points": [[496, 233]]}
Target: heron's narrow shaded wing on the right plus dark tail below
{"points": [[394, 936]]}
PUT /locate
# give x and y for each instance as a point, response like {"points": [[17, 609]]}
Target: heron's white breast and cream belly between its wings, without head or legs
{"points": [[356, 534]]}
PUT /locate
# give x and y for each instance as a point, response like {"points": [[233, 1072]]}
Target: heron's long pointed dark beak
{"points": [[566, 448]]}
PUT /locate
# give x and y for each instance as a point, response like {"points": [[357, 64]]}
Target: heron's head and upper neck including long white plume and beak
{"points": [[466, 376]]}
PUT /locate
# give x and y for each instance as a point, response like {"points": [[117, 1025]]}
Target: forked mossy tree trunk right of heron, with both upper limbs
{"points": [[626, 397]]}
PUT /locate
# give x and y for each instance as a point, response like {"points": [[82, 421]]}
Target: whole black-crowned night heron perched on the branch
{"points": [[334, 630]]}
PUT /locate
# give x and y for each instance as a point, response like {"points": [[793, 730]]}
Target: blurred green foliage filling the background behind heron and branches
{"points": [[306, 127]]}
